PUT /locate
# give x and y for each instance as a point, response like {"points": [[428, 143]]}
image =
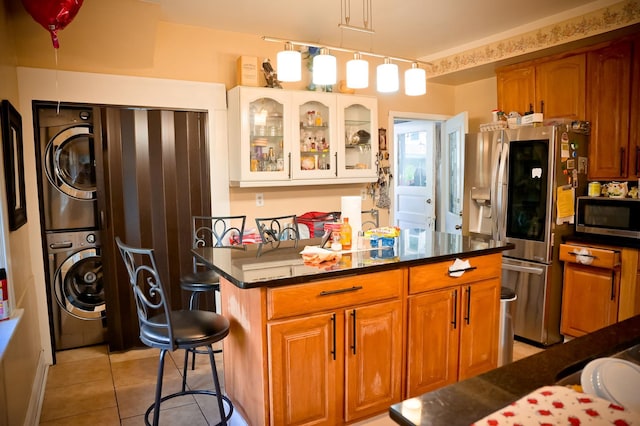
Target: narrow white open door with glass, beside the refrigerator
{"points": [[451, 192]]}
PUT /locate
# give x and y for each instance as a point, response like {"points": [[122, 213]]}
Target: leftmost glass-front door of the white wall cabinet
{"points": [[260, 141]]}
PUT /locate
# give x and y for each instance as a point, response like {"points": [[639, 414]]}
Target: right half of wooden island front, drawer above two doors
{"points": [[453, 323]]}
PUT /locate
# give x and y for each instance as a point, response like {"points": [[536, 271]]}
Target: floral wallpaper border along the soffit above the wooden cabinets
{"points": [[614, 17]]}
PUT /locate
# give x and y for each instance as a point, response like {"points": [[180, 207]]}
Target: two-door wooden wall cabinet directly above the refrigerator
{"points": [[555, 87]]}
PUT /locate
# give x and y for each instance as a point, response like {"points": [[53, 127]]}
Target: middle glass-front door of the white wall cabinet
{"points": [[314, 145]]}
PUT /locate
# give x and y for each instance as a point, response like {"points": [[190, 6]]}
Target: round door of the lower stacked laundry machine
{"points": [[78, 285]]}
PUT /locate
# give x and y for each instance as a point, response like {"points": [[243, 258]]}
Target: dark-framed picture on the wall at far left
{"points": [[11, 123]]}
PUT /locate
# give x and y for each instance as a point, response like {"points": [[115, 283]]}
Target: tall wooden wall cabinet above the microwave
{"points": [[612, 154]]}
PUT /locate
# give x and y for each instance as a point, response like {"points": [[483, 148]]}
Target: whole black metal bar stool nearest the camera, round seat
{"points": [[168, 330]]}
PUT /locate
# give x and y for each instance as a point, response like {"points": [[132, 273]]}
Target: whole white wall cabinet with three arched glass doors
{"points": [[283, 137]]}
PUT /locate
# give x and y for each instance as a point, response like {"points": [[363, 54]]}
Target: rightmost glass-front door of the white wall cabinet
{"points": [[359, 128]]}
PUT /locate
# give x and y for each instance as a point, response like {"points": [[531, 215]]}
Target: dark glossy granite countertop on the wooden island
{"points": [[257, 265]]}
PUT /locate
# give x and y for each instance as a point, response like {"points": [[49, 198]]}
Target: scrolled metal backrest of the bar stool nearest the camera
{"points": [[152, 306]]}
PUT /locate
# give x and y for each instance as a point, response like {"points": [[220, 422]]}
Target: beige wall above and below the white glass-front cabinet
{"points": [[104, 39]]}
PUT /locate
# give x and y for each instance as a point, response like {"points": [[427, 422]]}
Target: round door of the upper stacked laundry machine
{"points": [[70, 162]]}
